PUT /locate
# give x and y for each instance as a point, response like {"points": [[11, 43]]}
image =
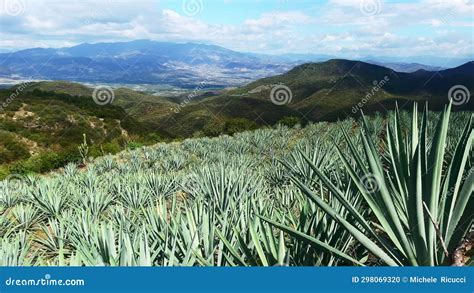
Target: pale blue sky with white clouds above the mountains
{"points": [[345, 28]]}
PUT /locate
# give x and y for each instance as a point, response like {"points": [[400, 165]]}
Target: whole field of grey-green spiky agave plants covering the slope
{"points": [[383, 190]]}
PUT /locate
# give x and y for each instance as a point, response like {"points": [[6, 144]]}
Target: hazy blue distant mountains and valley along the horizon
{"points": [[178, 64]]}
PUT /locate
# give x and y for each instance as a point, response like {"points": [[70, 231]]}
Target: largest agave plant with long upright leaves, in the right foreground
{"points": [[420, 196]]}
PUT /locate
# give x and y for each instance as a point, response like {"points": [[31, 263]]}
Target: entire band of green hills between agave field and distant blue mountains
{"points": [[42, 123]]}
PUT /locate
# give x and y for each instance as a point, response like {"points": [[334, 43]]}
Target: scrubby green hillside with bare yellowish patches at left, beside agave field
{"points": [[40, 130]]}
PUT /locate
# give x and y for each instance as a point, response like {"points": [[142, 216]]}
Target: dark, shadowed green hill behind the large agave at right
{"points": [[336, 88]]}
